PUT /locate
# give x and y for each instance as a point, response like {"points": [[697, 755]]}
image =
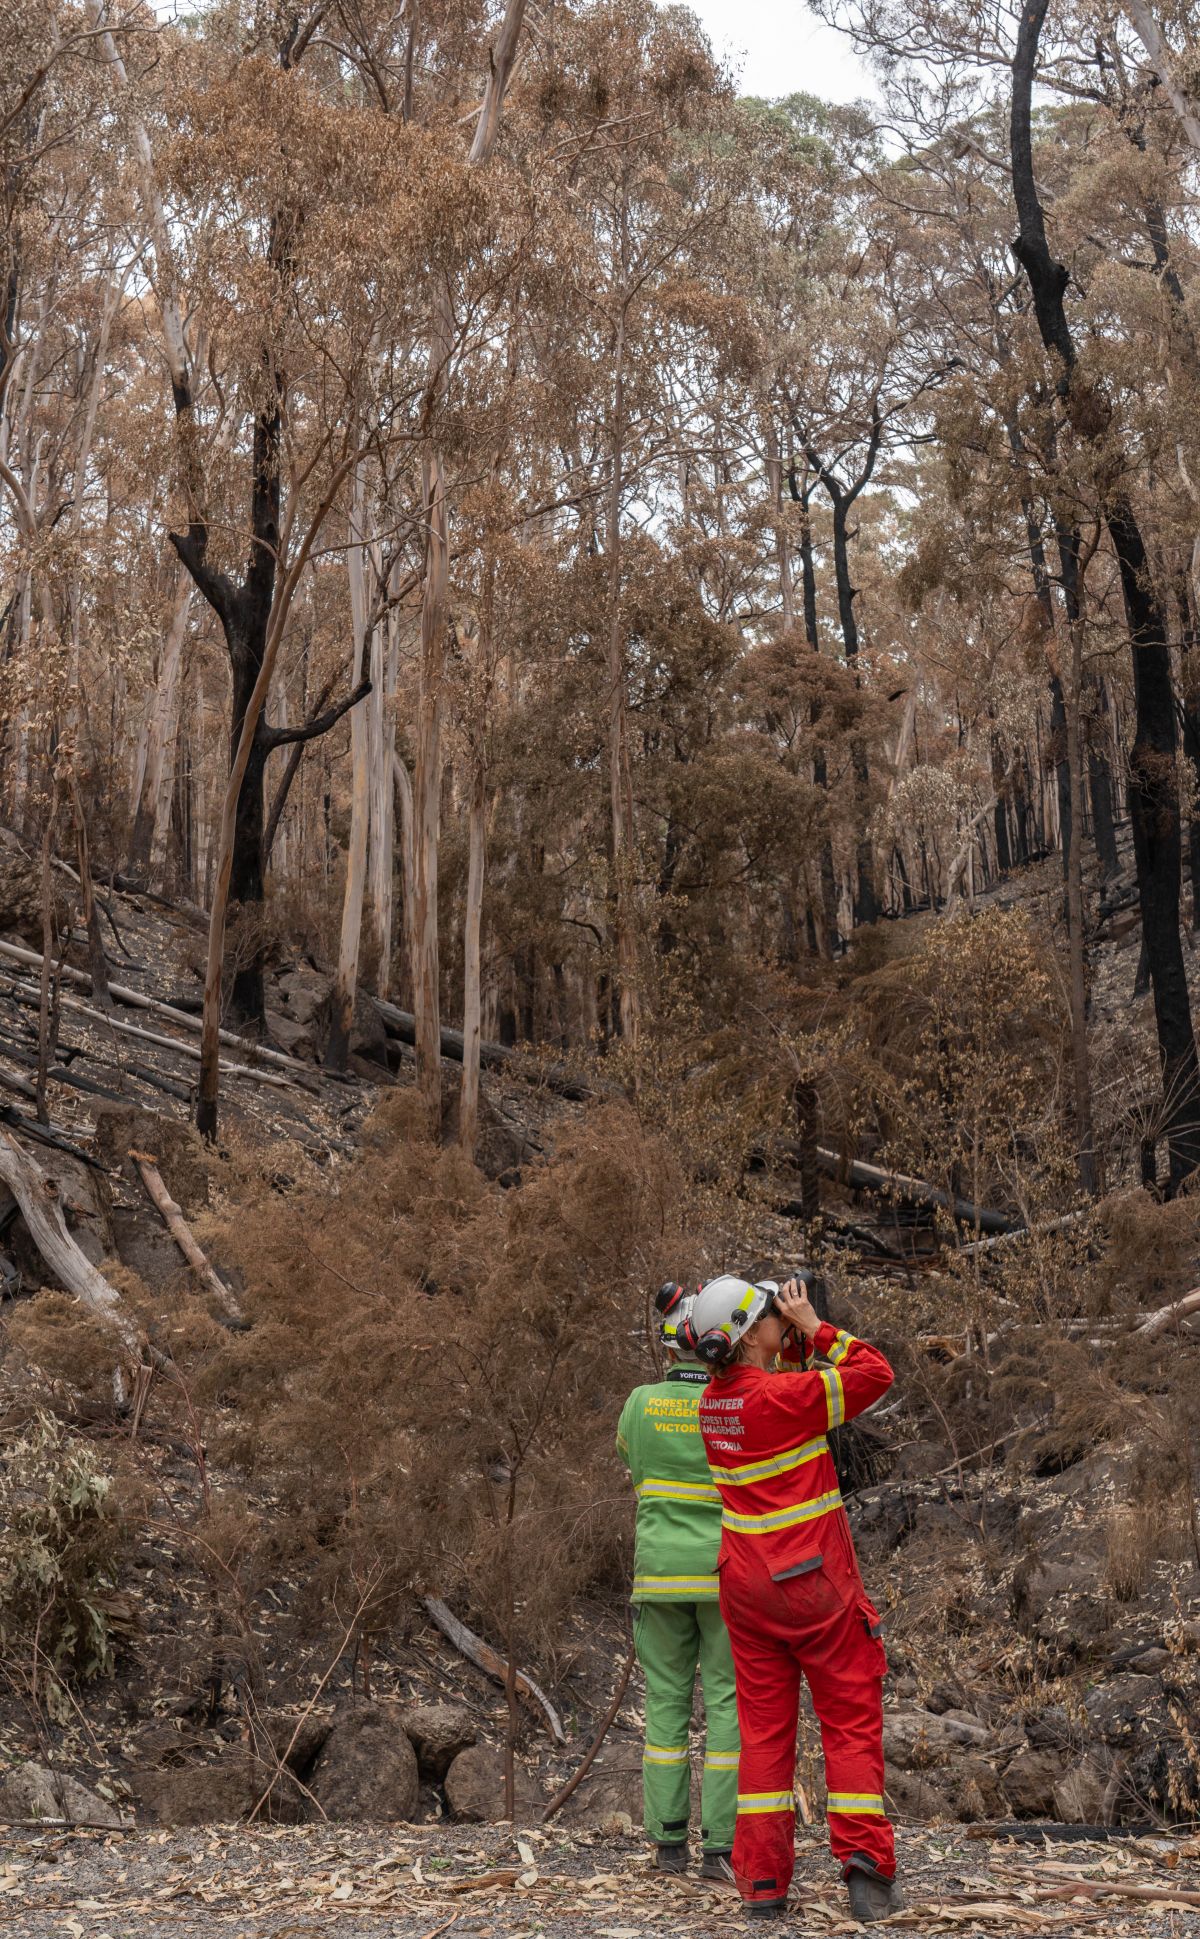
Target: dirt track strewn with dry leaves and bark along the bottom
{"points": [[484, 1884]]}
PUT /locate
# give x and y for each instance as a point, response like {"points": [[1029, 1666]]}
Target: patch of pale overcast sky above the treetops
{"points": [[782, 49]]}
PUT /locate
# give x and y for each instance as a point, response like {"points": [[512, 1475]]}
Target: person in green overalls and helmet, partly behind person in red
{"points": [[678, 1622]]}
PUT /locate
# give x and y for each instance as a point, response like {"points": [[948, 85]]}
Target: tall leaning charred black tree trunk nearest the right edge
{"points": [[1153, 788]]}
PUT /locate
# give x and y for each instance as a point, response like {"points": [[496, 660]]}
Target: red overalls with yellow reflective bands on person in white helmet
{"points": [[794, 1603]]}
